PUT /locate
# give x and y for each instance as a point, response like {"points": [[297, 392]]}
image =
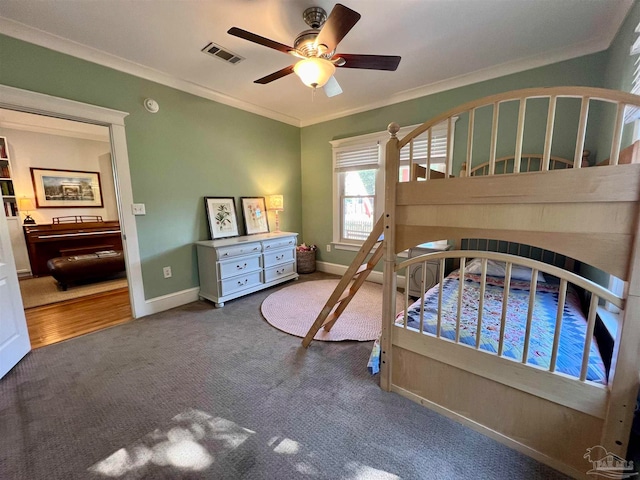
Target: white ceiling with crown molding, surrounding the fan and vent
{"points": [[443, 44]]}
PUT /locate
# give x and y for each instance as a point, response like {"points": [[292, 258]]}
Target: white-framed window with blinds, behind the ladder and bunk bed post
{"points": [[358, 179]]}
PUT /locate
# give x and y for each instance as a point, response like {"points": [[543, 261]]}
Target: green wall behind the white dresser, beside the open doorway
{"points": [[191, 148]]}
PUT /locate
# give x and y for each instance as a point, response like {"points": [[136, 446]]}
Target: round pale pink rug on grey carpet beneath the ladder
{"points": [[293, 310]]}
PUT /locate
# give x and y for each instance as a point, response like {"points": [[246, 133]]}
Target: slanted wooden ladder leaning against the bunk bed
{"points": [[349, 284]]}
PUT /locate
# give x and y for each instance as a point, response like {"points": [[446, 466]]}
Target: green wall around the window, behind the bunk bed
{"points": [[316, 152]]}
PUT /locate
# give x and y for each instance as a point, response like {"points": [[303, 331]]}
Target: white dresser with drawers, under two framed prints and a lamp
{"points": [[232, 267]]}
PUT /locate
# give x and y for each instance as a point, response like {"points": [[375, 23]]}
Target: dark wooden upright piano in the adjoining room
{"points": [[61, 239]]}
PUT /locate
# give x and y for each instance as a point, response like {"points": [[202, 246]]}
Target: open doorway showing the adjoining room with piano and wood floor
{"points": [[71, 229]]}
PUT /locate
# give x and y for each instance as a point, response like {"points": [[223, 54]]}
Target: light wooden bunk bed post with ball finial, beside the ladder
{"points": [[392, 164]]}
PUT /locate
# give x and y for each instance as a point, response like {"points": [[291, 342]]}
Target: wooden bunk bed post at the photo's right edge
{"points": [[624, 389]]}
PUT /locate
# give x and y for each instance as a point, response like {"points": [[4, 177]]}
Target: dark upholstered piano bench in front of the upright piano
{"points": [[81, 268]]}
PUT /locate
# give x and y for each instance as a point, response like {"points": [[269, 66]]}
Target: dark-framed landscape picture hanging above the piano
{"points": [[66, 188]]}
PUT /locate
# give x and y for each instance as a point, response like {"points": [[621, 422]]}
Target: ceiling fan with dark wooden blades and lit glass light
{"points": [[316, 49]]}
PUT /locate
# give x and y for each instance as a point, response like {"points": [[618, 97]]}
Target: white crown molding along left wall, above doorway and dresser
{"points": [[54, 42]]}
